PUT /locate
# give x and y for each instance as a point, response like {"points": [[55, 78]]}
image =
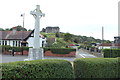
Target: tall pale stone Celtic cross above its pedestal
{"points": [[37, 14]]}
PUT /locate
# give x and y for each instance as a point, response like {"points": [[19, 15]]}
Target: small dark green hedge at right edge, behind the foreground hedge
{"points": [[111, 53]]}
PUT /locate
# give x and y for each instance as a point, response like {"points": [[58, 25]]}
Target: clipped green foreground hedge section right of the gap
{"points": [[96, 68]]}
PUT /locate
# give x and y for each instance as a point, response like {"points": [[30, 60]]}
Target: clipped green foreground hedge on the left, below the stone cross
{"points": [[37, 69]]}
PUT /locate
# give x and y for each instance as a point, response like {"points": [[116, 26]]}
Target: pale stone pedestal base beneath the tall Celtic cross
{"points": [[35, 54]]}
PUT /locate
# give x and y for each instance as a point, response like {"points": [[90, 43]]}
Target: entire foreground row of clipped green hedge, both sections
{"points": [[83, 68]]}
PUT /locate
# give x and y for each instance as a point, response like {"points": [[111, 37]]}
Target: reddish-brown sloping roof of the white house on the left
{"points": [[14, 35]]}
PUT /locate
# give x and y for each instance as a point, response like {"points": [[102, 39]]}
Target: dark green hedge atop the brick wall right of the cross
{"points": [[60, 50]]}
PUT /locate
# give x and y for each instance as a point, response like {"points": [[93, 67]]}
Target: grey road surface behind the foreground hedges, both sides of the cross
{"points": [[79, 54]]}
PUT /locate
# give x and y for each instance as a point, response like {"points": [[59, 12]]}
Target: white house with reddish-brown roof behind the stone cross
{"points": [[19, 38]]}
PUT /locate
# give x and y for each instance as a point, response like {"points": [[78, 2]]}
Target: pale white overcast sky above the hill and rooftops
{"points": [[79, 17]]}
